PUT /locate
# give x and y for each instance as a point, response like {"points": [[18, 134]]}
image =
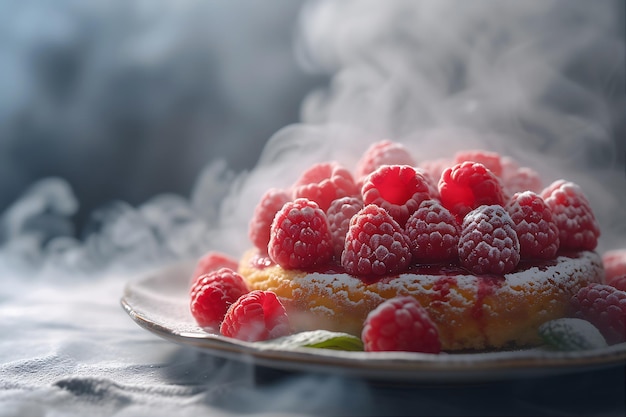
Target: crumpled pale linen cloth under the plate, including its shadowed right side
{"points": [[69, 349]]}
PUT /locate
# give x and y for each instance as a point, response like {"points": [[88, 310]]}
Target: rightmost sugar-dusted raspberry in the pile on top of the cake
{"points": [[578, 228]]}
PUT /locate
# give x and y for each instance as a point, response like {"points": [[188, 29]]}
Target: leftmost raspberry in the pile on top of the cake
{"points": [[259, 229]]}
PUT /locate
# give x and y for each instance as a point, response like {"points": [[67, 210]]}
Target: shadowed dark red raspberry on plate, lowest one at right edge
{"points": [[605, 307]]}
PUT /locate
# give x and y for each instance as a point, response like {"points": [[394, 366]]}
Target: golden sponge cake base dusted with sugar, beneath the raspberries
{"points": [[471, 311]]}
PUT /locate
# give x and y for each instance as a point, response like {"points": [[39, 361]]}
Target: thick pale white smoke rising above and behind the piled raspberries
{"points": [[540, 81]]}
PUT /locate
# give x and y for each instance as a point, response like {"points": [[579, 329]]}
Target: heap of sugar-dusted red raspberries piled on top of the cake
{"points": [[470, 211]]}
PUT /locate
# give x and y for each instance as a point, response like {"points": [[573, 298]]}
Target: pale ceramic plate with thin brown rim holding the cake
{"points": [[159, 302]]}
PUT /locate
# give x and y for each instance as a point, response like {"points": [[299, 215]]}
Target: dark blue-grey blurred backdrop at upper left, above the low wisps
{"points": [[129, 99]]}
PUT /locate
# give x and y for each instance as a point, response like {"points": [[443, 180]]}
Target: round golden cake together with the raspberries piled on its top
{"points": [[489, 253]]}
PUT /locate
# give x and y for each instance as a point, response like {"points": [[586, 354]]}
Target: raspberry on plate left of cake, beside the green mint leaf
{"points": [[256, 316]]}
